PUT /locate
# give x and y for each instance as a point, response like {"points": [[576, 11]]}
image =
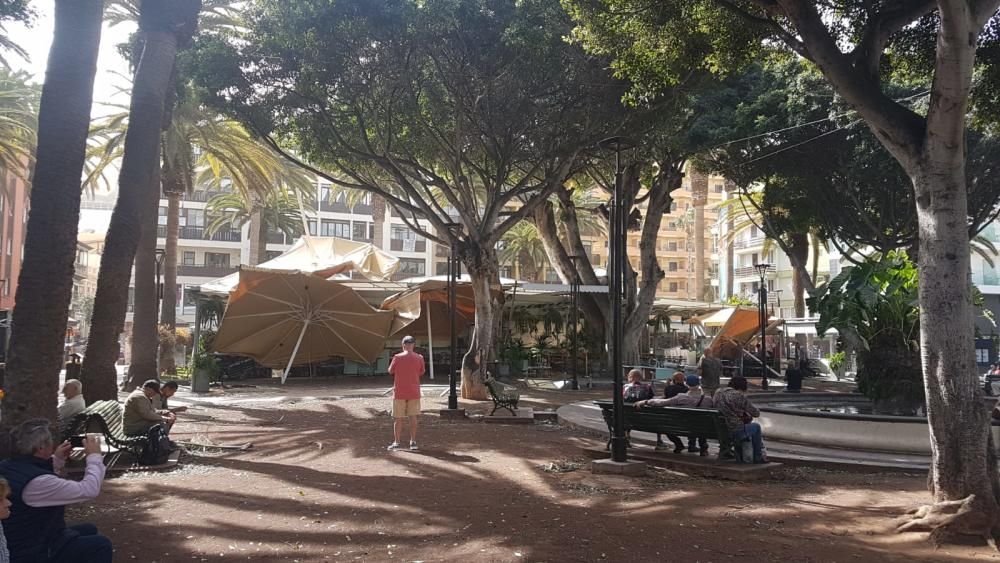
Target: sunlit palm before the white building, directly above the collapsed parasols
{"points": [[279, 210]]}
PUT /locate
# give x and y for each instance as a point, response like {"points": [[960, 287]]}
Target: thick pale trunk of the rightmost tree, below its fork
{"points": [[962, 464]]}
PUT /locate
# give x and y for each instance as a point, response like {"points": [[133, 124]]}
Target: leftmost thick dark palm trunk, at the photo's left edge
{"points": [[46, 280]]}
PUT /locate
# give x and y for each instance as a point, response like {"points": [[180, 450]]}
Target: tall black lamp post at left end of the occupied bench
{"points": [[616, 255]]}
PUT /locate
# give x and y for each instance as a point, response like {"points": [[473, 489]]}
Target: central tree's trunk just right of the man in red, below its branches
{"points": [[481, 263]]}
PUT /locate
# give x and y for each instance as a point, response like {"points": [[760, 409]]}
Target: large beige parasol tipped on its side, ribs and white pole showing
{"points": [[285, 318]]}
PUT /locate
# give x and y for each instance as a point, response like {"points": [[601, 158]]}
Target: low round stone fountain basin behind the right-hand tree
{"points": [[844, 420]]}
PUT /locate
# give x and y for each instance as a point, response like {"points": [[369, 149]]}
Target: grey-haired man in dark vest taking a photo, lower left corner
{"points": [[36, 529]]}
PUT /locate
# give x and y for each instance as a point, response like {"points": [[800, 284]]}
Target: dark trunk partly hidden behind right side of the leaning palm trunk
{"points": [[145, 336]]}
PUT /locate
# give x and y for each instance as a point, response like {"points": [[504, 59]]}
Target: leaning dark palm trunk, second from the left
{"points": [[138, 176]]}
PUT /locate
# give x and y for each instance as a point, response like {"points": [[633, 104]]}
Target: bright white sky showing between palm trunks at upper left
{"points": [[111, 72]]}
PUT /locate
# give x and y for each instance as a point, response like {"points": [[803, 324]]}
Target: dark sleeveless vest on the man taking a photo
{"points": [[32, 533]]}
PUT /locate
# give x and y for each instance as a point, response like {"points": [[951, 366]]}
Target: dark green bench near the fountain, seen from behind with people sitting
{"points": [[678, 421]]}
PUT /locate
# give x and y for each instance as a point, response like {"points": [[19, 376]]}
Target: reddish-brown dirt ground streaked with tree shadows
{"points": [[319, 485]]}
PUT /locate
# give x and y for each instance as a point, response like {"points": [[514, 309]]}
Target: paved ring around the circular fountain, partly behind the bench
{"points": [[587, 416]]}
